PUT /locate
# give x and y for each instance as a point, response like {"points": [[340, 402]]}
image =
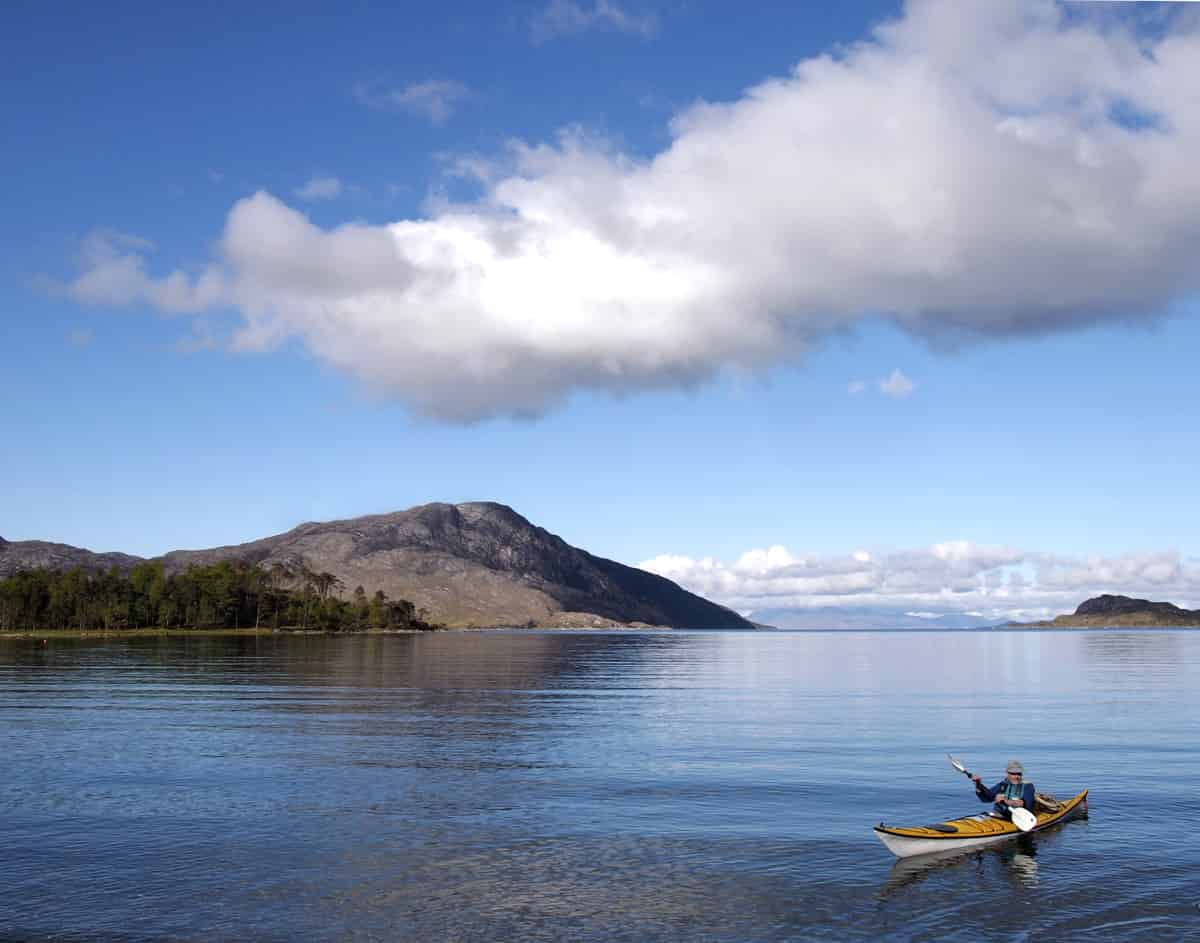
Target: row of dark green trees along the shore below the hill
{"points": [[224, 596]]}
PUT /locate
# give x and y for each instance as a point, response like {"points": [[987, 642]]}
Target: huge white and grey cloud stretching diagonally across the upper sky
{"points": [[1015, 199]]}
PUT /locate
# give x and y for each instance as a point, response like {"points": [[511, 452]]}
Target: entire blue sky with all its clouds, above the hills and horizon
{"points": [[659, 328]]}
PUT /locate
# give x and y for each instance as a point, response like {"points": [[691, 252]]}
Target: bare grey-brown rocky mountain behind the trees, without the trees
{"points": [[477, 564]]}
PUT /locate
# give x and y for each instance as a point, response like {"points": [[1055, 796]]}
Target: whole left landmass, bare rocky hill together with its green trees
{"points": [[478, 564]]}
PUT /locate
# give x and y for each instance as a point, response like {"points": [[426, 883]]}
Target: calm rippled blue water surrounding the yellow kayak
{"points": [[539, 786]]}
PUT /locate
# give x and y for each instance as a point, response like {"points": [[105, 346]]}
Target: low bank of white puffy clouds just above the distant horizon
{"points": [[955, 578]]}
